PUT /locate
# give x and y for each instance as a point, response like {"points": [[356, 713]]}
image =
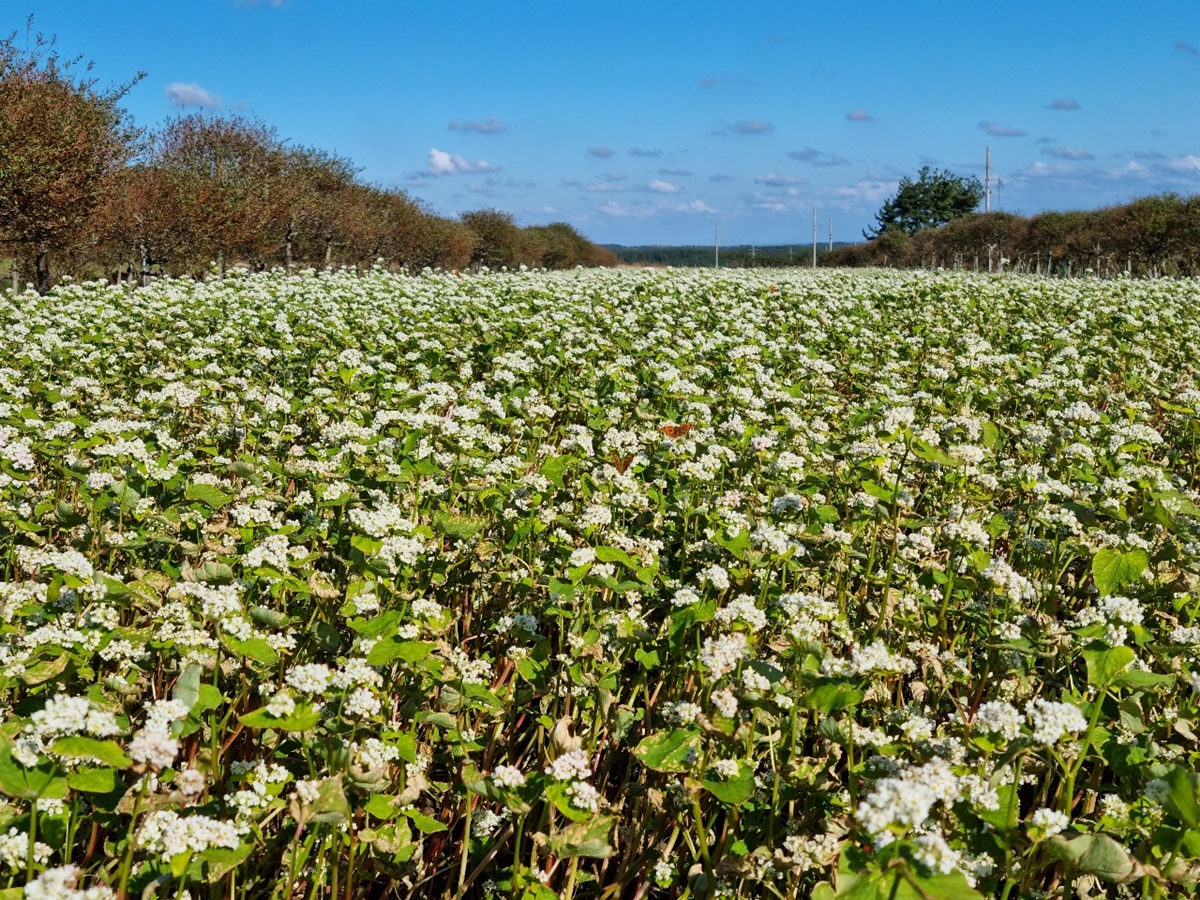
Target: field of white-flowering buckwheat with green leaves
{"points": [[601, 585]]}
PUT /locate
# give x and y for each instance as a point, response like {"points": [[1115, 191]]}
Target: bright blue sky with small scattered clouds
{"points": [[647, 123]]}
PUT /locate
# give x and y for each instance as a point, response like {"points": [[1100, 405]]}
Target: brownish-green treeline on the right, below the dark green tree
{"points": [[1150, 237]]}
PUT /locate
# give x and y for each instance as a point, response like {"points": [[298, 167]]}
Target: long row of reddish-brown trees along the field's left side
{"points": [[87, 194]]}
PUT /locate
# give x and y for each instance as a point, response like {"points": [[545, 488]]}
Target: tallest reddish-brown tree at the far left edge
{"points": [[62, 140]]}
